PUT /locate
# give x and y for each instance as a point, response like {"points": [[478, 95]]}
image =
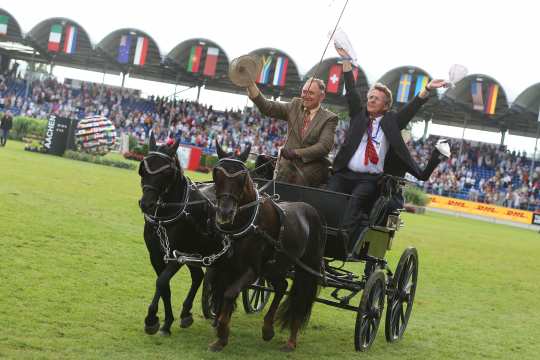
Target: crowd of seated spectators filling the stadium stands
{"points": [[476, 171]]}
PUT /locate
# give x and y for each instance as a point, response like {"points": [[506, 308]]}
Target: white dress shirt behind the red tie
{"points": [[381, 144]]}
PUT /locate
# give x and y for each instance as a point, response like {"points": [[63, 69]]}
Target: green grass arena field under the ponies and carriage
{"points": [[76, 280]]}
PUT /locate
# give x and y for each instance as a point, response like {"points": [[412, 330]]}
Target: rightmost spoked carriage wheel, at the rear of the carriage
{"points": [[400, 303]]}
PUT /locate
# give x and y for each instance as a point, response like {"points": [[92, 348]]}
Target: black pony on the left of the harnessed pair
{"points": [[175, 230]]}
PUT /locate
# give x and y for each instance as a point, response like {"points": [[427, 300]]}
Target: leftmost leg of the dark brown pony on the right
{"points": [[224, 319]]}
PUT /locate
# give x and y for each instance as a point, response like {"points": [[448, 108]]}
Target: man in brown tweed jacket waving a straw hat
{"points": [[310, 133]]}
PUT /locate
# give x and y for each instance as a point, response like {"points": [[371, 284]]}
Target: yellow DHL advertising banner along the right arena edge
{"points": [[471, 207]]}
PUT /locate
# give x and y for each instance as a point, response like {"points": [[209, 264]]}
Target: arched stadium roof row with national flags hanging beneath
{"points": [[118, 53]]}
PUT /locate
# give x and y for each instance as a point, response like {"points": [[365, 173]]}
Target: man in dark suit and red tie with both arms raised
{"points": [[374, 145]]}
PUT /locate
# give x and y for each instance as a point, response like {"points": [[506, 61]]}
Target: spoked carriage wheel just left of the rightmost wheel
{"points": [[370, 311]]}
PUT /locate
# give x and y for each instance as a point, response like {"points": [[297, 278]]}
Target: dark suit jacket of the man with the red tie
{"points": [[398, 159]]}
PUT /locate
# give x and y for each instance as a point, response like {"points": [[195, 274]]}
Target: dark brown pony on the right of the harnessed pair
{"points": [[268, 241]]}
